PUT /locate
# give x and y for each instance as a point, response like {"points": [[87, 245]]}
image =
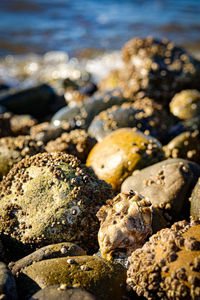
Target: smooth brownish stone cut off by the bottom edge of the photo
{"points": [[60, 292]]}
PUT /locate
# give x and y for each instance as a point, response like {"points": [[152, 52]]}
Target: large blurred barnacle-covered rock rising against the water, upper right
{"points": [[157, 68]]}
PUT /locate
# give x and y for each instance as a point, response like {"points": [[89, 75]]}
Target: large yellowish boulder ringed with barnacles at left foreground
{"points": [[51, 198]]}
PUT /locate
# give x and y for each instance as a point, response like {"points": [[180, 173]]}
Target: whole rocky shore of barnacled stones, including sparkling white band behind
{"points": [[99, 190]]}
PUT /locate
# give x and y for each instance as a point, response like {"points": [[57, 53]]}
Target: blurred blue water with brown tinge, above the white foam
{"points": [[42, 25]]}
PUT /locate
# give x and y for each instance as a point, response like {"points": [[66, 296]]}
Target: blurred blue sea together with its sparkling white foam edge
{"points": [[31, 29]]}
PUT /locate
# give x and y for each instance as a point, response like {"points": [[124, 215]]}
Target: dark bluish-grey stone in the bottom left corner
{"points": [[8, 289]]}
